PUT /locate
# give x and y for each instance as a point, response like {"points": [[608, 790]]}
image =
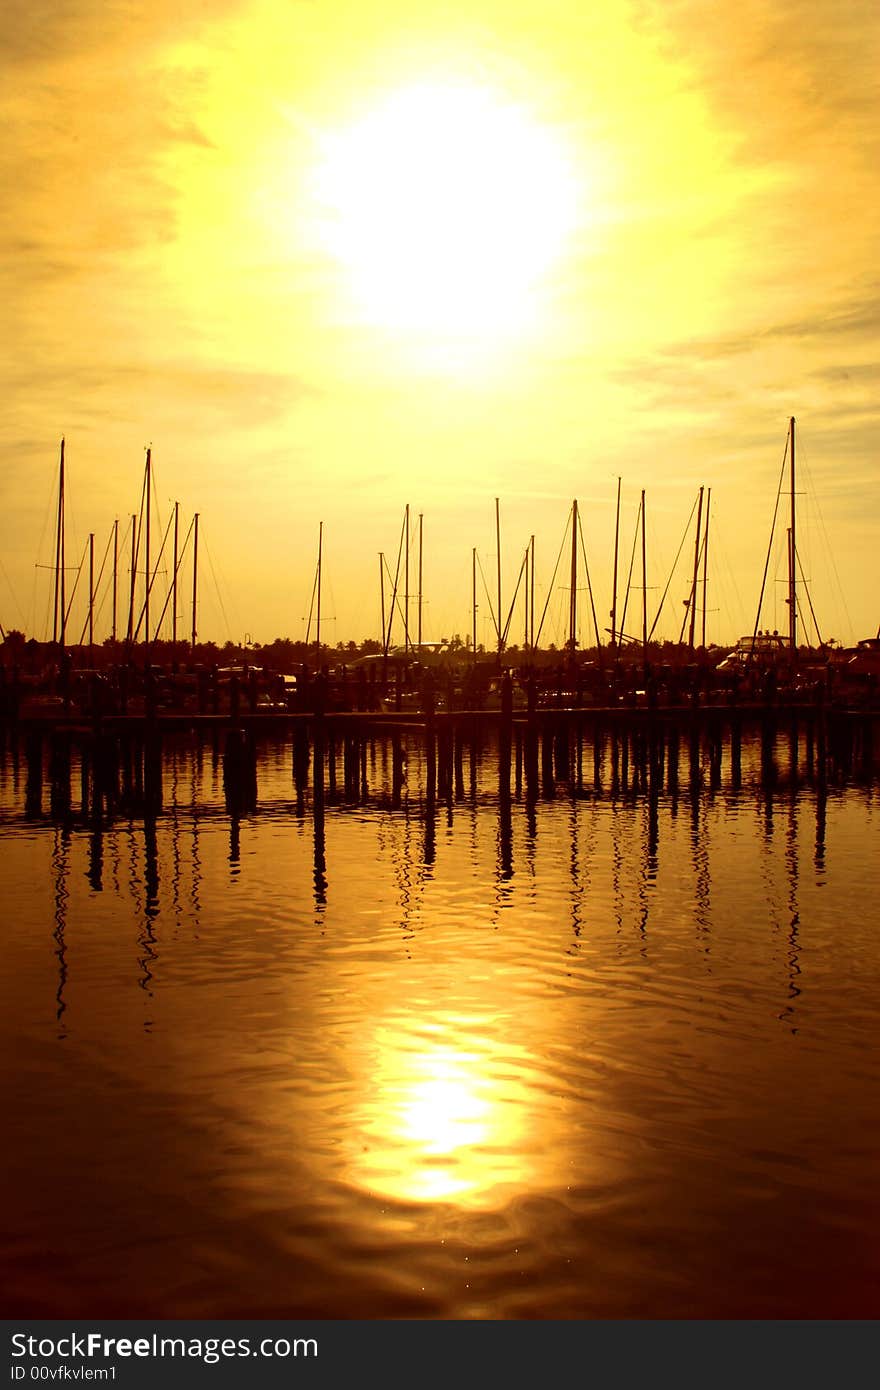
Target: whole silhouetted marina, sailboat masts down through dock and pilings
{"points": [[614, 719]]}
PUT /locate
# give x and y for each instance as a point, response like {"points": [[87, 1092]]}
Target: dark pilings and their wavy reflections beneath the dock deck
{"points": [[407, 775]]}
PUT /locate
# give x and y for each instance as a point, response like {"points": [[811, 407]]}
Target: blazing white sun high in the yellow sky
{"points": [[447, 206]]}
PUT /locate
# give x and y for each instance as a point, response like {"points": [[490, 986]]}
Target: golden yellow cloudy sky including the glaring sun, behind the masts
{"points": [[333, 258]]}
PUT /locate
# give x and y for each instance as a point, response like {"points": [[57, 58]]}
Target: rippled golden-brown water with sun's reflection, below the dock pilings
{"points": [[594, 1057]]}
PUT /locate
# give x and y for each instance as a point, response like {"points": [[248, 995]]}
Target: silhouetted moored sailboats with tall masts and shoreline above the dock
{"points": [[136, 667]]}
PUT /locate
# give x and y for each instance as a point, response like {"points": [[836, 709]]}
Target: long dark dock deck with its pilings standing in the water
{"points": [[91, 776]]}
